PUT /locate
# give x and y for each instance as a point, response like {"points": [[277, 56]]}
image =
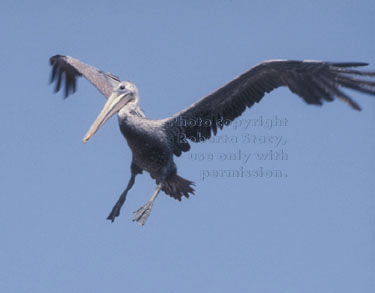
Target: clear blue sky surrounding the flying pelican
{"points": [[309, 231]]}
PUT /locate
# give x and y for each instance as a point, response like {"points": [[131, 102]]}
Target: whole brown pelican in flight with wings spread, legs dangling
{"points": [[154, 142]]}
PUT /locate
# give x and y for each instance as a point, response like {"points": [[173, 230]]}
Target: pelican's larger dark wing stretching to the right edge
{"points": [[313, 81]]}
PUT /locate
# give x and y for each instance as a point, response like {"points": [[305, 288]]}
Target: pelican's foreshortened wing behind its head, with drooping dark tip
{"points": [[70, 68]]}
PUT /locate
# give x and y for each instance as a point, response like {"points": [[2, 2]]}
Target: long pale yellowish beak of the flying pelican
{"points": [[114, 103]]}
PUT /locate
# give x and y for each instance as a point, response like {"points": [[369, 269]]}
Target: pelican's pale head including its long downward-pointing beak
{"points": [[122, 94]]}
